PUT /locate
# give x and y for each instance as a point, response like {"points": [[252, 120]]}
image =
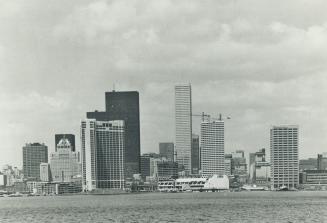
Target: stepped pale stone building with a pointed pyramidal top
{"points": [[64, 163]]}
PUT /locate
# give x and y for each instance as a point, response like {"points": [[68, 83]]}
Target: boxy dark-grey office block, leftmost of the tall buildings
{"points": [[33, 155]]}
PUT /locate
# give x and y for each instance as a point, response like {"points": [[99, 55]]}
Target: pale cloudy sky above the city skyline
{"points": [[260, 62]]}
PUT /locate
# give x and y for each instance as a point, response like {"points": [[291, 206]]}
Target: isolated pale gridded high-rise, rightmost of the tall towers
{"points": [[284, 155]]}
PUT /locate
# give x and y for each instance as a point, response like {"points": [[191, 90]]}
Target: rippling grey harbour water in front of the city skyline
{"points": [[170, 207]]}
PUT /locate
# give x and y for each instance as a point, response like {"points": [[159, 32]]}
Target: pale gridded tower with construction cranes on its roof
{"points": [[212, 148]]}
